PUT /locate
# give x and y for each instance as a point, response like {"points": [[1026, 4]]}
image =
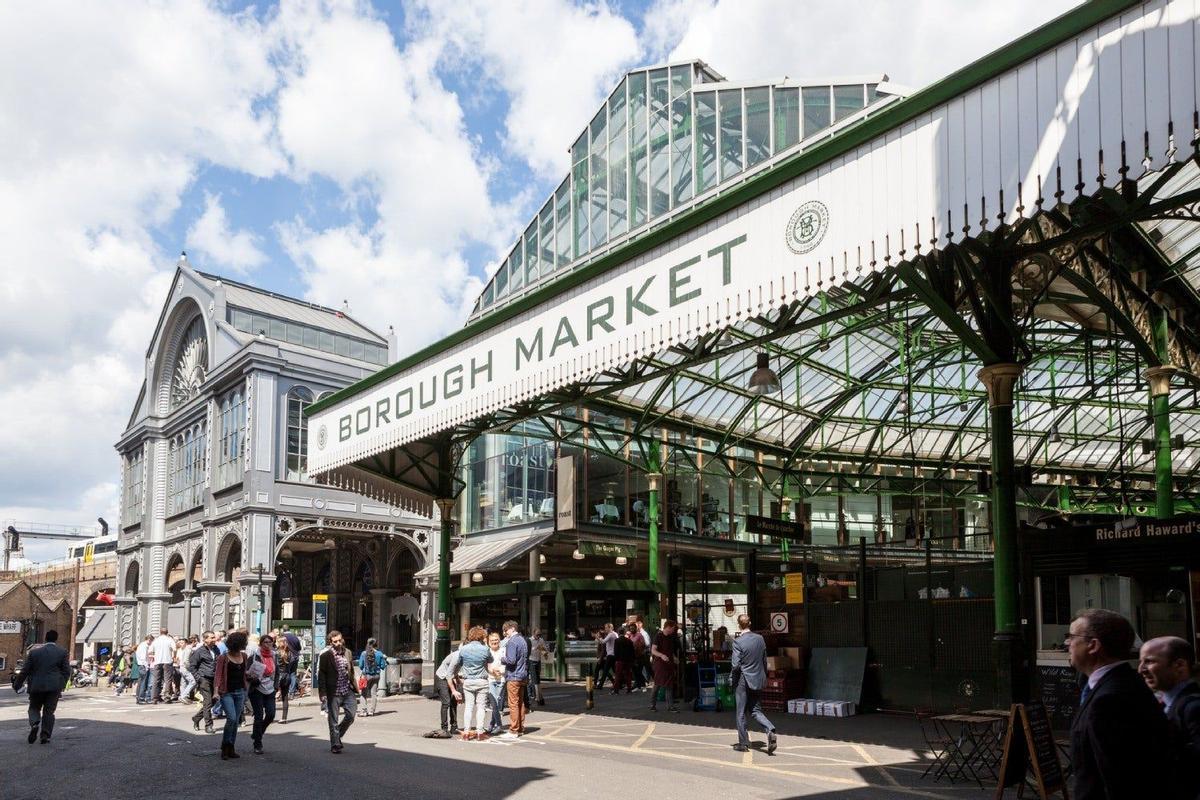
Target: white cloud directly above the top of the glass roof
{"points": [[915, 44]]}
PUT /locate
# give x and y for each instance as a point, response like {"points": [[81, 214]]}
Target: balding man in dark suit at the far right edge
{"points": [[1167, 665]]}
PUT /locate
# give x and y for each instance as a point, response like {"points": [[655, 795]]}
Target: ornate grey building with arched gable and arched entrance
{"points": [[213, 480]]}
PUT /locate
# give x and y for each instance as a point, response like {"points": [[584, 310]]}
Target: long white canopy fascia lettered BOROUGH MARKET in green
{"points": [[1005, 148]]}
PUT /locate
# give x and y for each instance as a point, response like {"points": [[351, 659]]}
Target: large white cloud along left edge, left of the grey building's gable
{"points": [[110, 113]]}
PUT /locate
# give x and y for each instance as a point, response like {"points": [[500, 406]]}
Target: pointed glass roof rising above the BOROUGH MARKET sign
{"points": [[667, 140]]}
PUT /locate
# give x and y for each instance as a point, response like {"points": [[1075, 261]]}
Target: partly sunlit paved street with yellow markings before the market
{"points": [[111, 748]]}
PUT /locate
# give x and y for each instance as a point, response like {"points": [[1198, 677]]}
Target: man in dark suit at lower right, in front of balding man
{"points": [[1120, 737]]}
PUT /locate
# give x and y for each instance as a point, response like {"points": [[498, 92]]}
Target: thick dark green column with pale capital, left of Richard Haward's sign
{"points": [[1000, 381]]}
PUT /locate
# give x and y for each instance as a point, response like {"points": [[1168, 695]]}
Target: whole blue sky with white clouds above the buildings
{"points": [[383, 154]]}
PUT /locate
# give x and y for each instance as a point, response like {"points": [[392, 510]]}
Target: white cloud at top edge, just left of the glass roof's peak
{"points": [[556, 62]]}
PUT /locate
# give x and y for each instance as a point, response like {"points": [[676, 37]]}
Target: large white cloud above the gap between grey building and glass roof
{"points": [[400, 142]]}
